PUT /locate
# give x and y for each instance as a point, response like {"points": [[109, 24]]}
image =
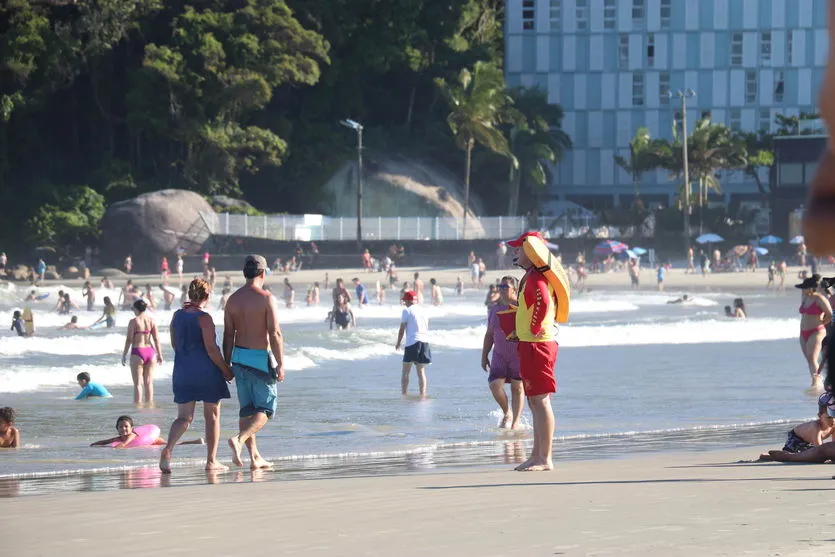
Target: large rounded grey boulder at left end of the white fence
{"points": [[152, 225]]}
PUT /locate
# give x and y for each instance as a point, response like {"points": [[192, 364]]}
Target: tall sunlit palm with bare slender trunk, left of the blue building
{"points": [[478, 103]]}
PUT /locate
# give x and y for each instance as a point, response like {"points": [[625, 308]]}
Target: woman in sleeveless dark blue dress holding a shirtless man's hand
{"points": [[200, 374]]}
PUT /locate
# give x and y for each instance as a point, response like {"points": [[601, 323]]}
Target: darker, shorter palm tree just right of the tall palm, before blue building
{"points": [[535, 137]]}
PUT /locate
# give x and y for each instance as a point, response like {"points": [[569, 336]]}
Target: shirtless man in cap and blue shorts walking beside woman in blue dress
{"points": [[251, 334]]}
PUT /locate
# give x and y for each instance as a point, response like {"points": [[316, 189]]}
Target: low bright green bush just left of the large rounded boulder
{"points": [[70, 221]]}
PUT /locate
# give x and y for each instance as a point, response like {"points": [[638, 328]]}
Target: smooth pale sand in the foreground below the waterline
{"points": [[667, 505]]}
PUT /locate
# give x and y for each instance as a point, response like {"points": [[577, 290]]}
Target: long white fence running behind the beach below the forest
{"points": [[316, 227]]}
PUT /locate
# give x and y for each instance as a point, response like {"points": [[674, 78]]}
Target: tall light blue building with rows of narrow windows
{"points": [[611, 64]]}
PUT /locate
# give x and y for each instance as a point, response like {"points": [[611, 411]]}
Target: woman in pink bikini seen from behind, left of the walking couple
{"points": [[145, 353]]}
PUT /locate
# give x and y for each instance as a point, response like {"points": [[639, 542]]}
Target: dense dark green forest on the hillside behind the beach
{"points": [[221, 96]]}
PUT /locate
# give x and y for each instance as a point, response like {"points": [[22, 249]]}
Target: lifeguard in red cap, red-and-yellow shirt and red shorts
{"points": [[536, 329]]}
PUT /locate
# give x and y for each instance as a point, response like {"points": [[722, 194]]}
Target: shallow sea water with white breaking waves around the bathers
{"points": [[635, 375]]}
